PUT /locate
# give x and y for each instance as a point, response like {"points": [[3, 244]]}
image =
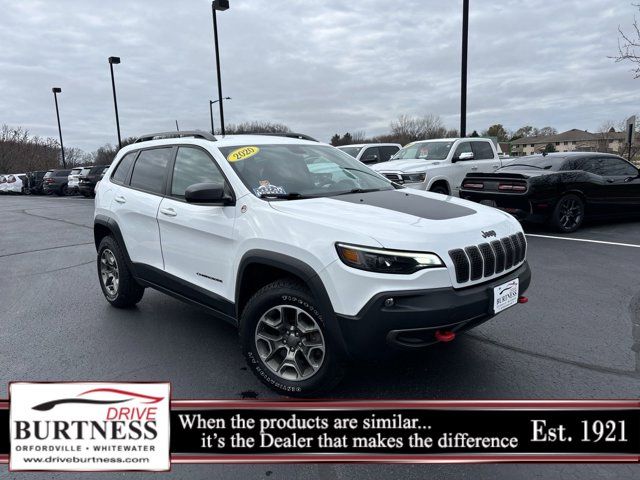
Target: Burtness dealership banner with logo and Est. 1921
{"points": [[97, 426]]}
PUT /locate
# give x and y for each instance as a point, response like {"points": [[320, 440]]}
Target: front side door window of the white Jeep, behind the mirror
{"points": [[193, 166]]}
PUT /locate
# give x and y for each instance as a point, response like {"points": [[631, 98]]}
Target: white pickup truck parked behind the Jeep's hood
{"points": [[440, 165]]}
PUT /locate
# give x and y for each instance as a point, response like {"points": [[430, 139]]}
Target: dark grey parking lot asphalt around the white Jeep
{"points": [[574, 339]]}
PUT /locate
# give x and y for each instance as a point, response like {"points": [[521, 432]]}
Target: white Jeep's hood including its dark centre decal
{"points": [[404, 219]]}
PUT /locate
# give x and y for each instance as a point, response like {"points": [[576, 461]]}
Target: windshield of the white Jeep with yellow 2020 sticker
{"points": [[300, 170]]}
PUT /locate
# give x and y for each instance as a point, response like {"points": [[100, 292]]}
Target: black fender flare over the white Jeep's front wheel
{"points": [[302, 270]]}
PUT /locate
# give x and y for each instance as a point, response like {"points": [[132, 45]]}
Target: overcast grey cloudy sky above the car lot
{"points": [[319, 67]]}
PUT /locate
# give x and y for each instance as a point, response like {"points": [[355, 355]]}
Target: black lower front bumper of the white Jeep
{"points": [[417, 314]]}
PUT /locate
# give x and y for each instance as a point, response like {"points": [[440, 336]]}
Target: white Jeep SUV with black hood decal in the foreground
{"points": [[314, 257]]}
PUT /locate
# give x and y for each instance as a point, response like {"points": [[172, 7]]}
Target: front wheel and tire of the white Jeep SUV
{"points": [[281, 332]]}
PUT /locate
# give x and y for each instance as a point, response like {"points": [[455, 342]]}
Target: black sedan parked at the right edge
{"points": [[560, 189]]}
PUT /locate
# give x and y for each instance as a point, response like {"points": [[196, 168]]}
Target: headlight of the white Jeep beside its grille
{"points": [[386, 261]]}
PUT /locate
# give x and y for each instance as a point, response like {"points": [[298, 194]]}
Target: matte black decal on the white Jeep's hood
{"points": [[416, 205]]}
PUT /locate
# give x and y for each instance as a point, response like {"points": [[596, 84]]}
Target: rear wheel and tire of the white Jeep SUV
{"points": [[117, 284]]}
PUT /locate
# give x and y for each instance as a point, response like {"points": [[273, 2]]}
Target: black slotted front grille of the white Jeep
{"points": [[485, 260]]}
